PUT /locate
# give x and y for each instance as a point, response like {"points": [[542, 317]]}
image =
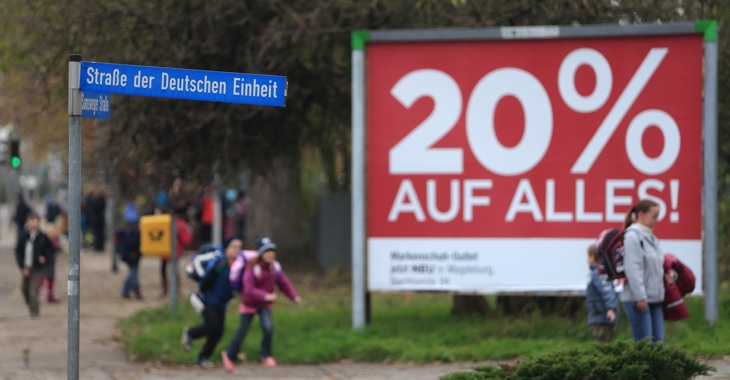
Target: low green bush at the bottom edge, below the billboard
{"points": [[619, 361]]}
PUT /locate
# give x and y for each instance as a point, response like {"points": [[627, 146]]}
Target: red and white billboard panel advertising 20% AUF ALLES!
{"points": [[502, 147]]}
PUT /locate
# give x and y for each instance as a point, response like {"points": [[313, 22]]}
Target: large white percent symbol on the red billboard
{"points": [[645, 119]]}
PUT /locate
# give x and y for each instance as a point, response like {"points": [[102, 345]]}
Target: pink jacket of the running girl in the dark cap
{"points": [[259, 282]]}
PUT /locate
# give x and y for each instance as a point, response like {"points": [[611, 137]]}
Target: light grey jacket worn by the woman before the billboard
{"points": [[643, 265]]}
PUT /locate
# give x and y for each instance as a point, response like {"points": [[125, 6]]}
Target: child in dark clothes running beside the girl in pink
{"points": [[216, 291]]}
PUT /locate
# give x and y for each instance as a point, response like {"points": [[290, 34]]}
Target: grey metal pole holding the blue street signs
{"points": [[74, 212]]}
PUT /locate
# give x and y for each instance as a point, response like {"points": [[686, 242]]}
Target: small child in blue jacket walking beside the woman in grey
{"points": [[602, 301]]}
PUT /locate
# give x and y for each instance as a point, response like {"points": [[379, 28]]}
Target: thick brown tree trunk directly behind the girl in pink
{"points": [[275, 209]]}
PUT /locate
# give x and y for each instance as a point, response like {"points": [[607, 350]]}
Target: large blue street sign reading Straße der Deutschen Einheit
{"points": [[162, 82]]}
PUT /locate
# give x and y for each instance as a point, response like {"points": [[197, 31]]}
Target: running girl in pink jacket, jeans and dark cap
{"points": [[260, 277]]}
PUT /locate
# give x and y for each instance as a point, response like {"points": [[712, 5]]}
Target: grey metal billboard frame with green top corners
{"points": [[361, 38]]}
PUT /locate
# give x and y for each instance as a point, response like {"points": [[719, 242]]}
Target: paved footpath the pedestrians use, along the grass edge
{"points": [[36, 348]]}
